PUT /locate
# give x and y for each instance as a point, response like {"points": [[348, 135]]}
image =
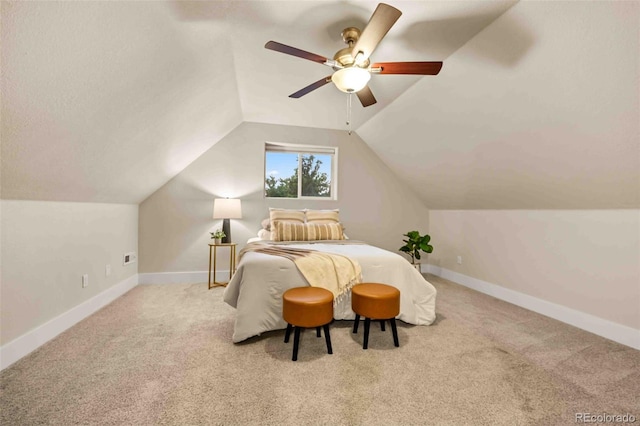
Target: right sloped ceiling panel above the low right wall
{"points": [[539, 111]]}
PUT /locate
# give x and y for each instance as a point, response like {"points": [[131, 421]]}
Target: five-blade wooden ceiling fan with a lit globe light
{"points": [[352, 67]]}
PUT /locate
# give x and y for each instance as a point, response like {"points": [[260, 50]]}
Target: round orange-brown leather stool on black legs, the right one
{"points": [[378, 302]]}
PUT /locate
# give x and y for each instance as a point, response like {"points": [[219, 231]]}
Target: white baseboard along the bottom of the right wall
{"points": [[617, 332]]}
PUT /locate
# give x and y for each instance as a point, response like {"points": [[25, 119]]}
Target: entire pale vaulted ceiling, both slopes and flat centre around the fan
{"points": [[106, 101]]}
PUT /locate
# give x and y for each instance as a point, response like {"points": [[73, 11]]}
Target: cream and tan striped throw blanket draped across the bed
{"points": [[334, 272]]}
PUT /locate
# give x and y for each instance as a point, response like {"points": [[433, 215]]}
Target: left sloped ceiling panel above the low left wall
{"points": [[105, 101]]}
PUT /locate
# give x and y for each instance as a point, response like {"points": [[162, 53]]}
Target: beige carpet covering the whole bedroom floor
{"points": [[163, 355]]}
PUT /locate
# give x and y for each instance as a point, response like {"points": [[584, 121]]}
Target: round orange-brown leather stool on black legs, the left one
{"points": [[306, 307]]}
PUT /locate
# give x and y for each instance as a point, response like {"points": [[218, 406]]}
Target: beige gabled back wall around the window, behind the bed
{"points": [[175, 221]]}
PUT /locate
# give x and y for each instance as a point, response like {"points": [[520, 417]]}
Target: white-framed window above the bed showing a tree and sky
{"points": [[298, 171]]}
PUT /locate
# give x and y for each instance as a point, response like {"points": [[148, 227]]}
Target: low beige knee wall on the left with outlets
{"points": [[46, 247]]}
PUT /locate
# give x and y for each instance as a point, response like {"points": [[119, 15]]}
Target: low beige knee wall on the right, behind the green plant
{"points": [[587, 260]]}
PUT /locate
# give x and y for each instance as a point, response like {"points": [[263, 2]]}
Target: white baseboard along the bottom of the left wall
{"points": [[30, 341]]}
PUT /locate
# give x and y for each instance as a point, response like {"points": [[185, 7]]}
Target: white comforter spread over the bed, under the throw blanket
{"points": [[257, 286]]}
